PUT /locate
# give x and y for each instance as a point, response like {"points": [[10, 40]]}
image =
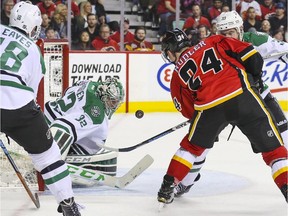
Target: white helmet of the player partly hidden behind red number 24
{"points": [[230, 20]]}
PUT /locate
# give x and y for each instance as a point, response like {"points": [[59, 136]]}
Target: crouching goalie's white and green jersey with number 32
{"points": [[81, 113]]}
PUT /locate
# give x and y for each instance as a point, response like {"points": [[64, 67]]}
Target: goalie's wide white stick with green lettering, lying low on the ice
{"points": [[91, 177]]}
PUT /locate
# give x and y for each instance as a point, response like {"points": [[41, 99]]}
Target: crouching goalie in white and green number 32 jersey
{"points": [[79, 122]]}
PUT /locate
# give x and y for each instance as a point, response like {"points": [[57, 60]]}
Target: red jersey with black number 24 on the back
{"points": [[212, 72]]}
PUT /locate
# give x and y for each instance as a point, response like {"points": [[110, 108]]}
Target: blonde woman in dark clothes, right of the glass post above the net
{"points": [[81, 20]]}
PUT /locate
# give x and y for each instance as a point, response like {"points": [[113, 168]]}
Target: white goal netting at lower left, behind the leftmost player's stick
{"points": [[8, 177]]}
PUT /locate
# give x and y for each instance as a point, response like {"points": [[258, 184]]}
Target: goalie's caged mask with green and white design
{"points": [[111, 93]]}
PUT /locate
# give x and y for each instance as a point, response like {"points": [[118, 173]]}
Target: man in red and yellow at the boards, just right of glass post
{"points": [[139, 43]]}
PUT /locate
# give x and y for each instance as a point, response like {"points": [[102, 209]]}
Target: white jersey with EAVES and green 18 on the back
{"points": [[22, 68]]}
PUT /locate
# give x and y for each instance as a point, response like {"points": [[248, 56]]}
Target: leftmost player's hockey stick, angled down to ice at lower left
{"points": [[35, 198]]}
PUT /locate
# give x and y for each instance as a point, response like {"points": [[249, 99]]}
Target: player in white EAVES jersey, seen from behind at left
{"points": [[22, 68]]}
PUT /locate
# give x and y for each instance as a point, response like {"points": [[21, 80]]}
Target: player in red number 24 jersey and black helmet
{"points": [[217, 77]]}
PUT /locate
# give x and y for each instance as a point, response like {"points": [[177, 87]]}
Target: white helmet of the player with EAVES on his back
{"points": [[26, 17]]}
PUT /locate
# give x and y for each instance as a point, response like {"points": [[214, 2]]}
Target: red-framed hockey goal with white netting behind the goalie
{"points": [[56, 58]]}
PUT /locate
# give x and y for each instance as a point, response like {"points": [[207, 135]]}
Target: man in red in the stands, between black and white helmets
{"points": [[195, 20]]}
